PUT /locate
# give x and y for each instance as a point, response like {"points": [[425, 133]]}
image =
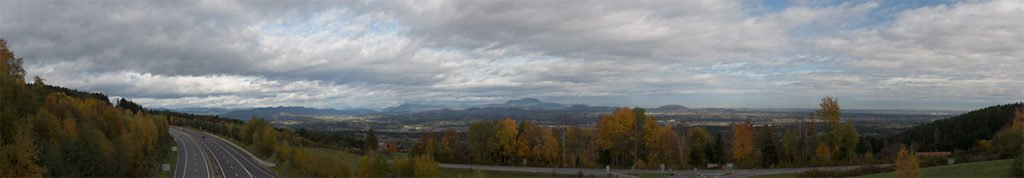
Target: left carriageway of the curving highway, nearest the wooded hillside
{"points": [[192, 162]]}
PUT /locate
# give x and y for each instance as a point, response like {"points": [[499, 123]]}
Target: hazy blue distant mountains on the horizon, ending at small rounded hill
{"points": [[516, 106]]}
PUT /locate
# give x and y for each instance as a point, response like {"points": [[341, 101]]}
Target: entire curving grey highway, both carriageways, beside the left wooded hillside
{"points": [[219, 158]]}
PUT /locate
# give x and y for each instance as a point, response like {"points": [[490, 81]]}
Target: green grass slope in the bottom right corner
{"points": [[998, 168]]}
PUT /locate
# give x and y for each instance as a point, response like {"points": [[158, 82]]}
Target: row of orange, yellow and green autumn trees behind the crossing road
{"points": [[631, 139]]}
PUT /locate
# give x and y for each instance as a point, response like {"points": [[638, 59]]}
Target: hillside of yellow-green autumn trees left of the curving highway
{"points": [[53, 131]]}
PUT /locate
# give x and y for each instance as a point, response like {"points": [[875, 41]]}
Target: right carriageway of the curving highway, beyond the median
{"points": [[231, 161]]}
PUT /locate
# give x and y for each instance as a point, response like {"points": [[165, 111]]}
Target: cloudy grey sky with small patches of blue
{"points": [[378, 54]]}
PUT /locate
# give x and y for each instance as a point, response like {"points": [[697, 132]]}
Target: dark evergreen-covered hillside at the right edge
{"points": [[961, 132]]}
